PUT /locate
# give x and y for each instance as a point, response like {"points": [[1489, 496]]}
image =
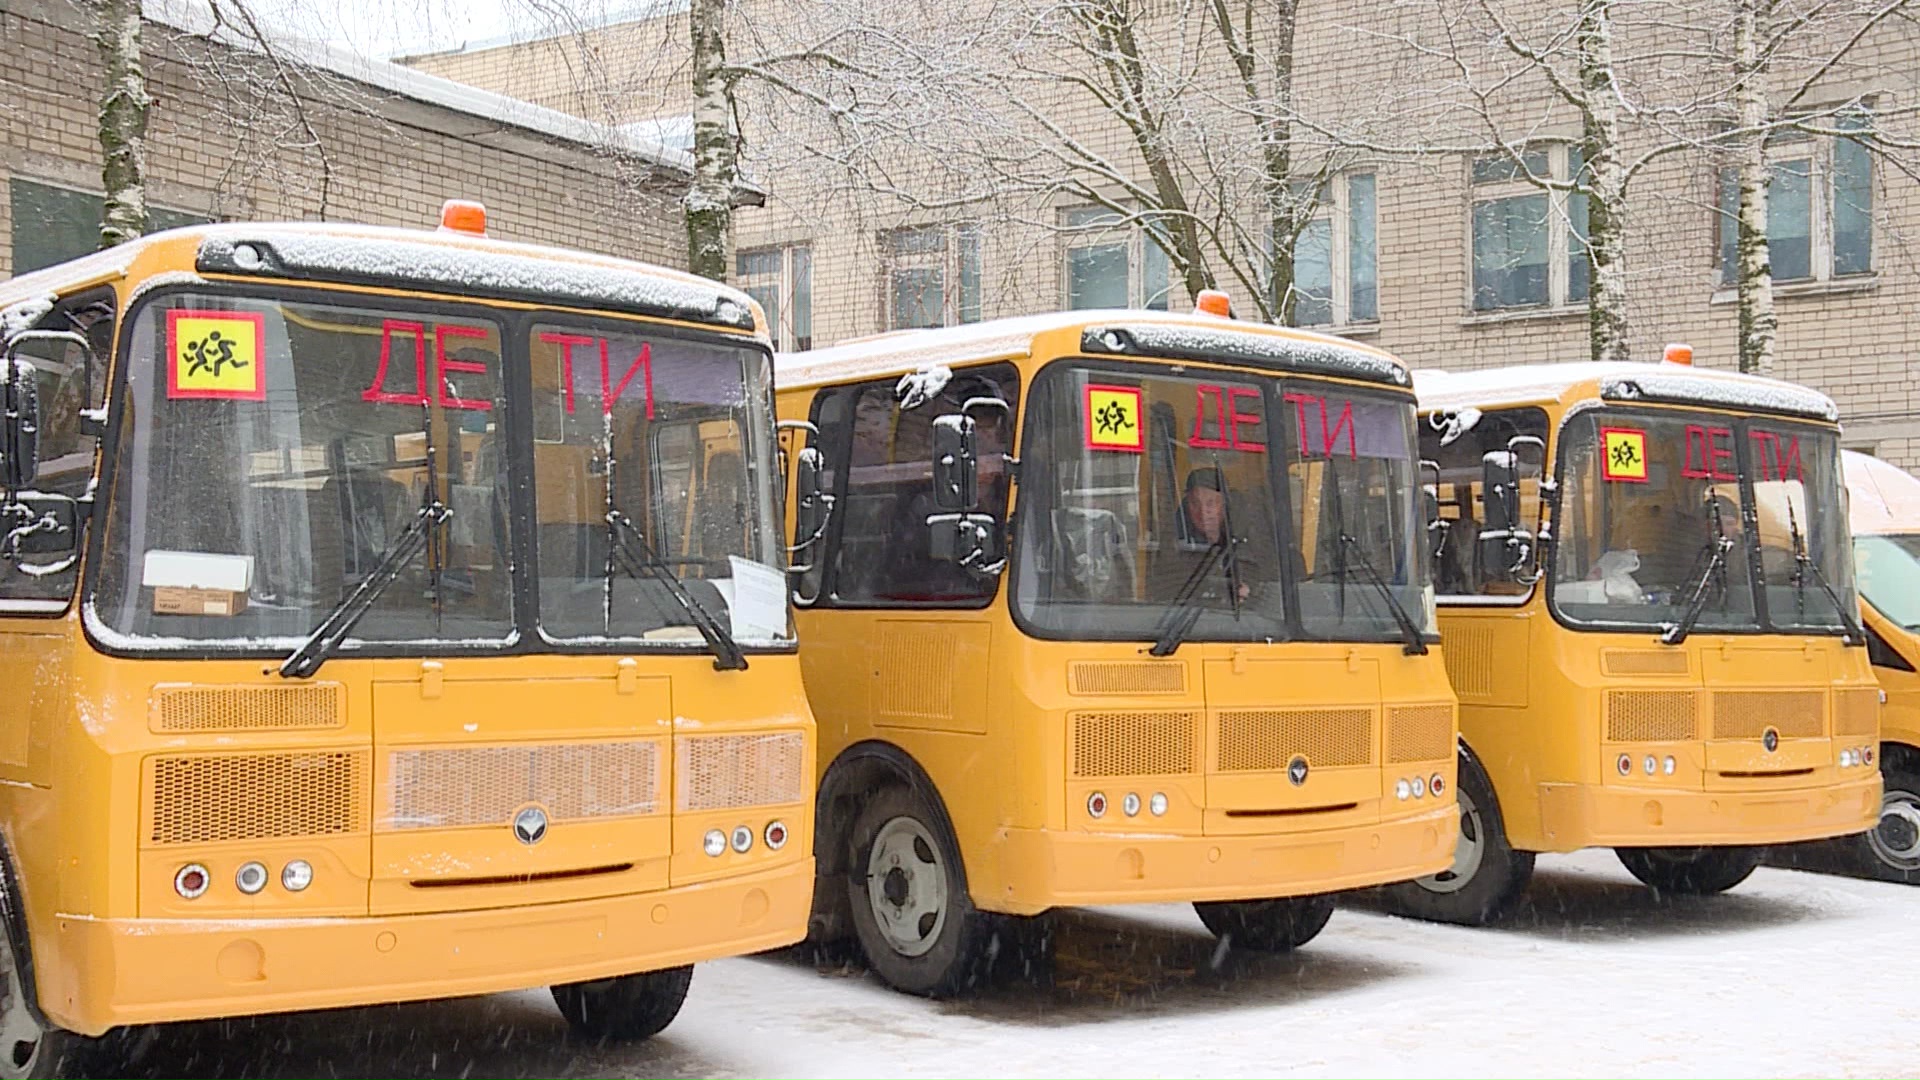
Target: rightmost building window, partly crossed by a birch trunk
{"points": [[1819, 207]]}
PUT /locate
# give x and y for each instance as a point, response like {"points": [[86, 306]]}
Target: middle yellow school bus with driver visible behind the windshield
{"points": [[1107, 608]]}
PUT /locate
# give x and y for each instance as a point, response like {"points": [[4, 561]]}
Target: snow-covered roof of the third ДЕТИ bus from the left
{"points": [[1618, 381]]}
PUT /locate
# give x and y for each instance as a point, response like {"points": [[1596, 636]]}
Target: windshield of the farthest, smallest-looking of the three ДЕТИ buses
{"points": [[1671, 512]]}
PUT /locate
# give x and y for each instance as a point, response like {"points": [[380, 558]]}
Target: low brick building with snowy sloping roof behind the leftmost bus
{"points": [[387, 147]]}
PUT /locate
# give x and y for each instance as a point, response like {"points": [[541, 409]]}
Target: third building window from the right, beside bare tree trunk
{"points": [[1335, 257]]}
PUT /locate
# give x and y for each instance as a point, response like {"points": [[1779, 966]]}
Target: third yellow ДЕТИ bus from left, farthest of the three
{"points": [[1648, 610]]}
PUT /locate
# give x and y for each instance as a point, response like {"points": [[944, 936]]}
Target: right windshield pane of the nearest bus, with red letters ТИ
{"points": [[661, 431]]}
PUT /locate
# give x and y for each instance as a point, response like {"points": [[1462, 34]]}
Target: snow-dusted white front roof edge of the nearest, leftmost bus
{"points": [[335, 251]]}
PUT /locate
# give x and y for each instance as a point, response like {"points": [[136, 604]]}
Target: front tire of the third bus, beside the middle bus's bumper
{"points": [[1487, 879]]}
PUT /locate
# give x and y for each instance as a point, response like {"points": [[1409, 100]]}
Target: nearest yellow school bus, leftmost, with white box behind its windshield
{"points": [[387, 616]]}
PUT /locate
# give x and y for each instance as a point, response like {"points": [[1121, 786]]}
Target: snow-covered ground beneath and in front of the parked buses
{"points": [[1790, 975]]}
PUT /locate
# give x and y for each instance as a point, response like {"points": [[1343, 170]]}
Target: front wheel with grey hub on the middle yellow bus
{"points": [[934, 943]]}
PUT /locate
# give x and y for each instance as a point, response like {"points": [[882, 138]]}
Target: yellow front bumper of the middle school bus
{"points": [[1074, 870]]}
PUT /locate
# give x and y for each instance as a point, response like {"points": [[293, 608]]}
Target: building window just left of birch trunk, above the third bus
{"points": [[1529, 243]]}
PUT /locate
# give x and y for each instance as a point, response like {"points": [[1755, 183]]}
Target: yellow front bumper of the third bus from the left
{"points": [[1585, 816]]}
